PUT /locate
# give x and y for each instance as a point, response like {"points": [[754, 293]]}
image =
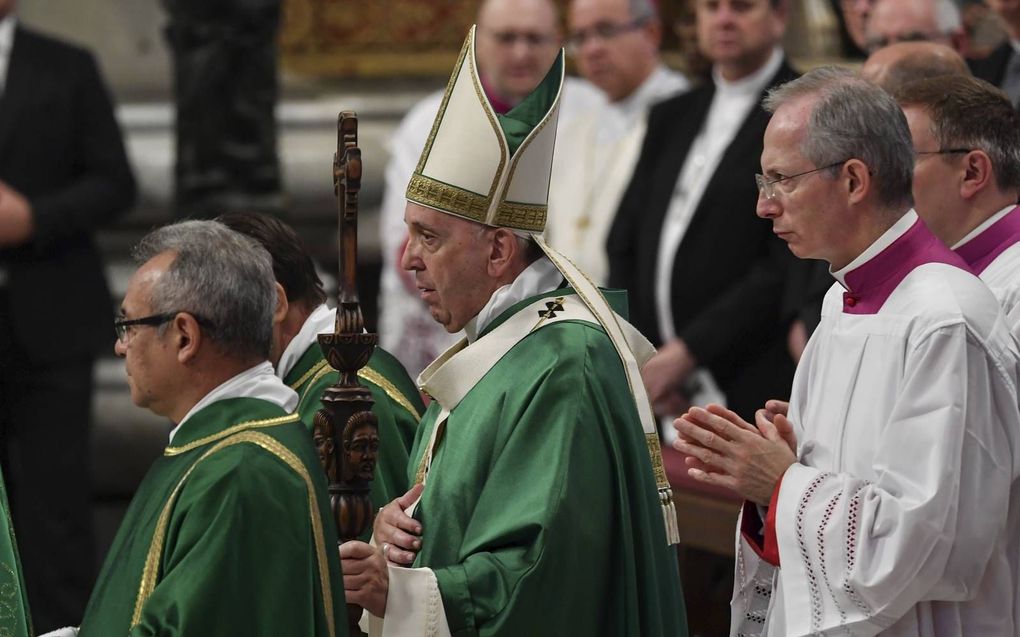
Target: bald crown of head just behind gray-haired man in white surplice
{"points": [[903, 63]]}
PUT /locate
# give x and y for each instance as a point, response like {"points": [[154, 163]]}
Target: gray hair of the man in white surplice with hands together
{"points": [[854, 119]]}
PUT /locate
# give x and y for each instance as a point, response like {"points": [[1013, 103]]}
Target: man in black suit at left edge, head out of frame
{"points": [[64, 174]]}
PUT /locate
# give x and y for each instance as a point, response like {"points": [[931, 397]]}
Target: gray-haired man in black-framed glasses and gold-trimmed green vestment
{"points": [[230, 534]]}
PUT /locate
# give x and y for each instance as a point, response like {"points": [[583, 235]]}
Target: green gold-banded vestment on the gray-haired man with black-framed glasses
{"points": [[229, 535]]}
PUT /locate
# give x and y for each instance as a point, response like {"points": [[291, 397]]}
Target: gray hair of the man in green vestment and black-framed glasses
{"points": [[221, 277]]}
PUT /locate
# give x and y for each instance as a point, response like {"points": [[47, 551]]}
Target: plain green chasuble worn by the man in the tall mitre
{"points": [[540, 512]]}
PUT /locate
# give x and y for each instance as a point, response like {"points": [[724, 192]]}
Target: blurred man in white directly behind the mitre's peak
{"points": [[518, 41]]}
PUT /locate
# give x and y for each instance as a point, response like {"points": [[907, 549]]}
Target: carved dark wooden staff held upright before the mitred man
{"points": [[345, 429]]}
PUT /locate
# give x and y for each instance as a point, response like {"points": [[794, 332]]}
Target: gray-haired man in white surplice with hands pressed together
{"points": [[891, 517]]}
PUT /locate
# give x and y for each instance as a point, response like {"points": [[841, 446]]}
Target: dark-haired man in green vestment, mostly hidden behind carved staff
{"points": [[301, 316]]}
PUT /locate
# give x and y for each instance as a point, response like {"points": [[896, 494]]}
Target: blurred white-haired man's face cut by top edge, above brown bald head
{"points": [[912, 21]]}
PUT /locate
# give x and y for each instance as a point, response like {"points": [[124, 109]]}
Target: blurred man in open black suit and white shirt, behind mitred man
{"points": [[706, 275]]}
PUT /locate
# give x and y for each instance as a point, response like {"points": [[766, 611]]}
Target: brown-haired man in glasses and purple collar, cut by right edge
{"points": [[966, 187]]}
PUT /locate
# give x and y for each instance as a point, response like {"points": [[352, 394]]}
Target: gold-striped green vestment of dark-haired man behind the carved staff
{"points": [[398, 408]]}
